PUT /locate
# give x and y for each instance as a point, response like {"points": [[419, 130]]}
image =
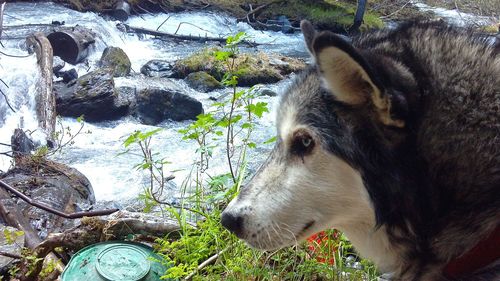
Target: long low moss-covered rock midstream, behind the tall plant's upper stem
{"points": [[251, 68]]}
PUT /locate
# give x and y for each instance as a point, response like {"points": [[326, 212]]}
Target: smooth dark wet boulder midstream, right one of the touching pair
{"points": [[156, 105]]}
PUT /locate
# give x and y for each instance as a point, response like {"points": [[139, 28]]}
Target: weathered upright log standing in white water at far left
{"points": [[45, 98]]}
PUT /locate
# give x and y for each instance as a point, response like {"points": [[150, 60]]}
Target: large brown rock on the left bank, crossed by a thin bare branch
{"points": [[57, 185]]}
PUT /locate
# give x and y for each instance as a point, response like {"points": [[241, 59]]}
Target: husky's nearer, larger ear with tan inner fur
{"points": [[349, 77]]}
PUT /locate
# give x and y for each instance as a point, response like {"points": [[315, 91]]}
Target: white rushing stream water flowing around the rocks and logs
{"points": [[96, 154]]}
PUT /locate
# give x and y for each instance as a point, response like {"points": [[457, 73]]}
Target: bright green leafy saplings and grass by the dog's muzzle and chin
{"points": [[205, 250]]}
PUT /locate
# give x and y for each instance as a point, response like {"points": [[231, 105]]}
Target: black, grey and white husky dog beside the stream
{"points": [[394, 139]]}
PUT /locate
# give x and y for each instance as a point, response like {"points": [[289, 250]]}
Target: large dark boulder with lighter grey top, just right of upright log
{"points": [[92, 95]]}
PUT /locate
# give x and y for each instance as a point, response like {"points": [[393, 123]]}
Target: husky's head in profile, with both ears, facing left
{"points": [[313, 179]]}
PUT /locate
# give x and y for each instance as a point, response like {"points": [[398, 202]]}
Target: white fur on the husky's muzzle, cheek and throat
{"points": [[288, 194]]}
